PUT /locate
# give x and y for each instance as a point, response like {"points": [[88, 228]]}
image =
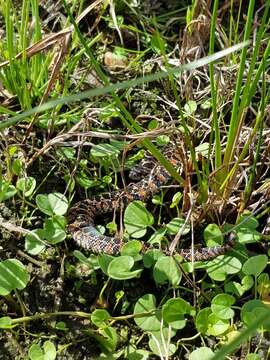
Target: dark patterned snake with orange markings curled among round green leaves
{"points": [[152, 175]]}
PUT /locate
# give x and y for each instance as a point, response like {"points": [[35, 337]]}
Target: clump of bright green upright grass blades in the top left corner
{"points": [[22, 78]]}
